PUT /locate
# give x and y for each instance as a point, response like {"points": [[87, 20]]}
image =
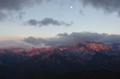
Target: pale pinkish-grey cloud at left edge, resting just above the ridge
{"points": [[10, 44]]}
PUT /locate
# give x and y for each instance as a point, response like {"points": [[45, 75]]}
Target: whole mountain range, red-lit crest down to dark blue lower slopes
{"points": [[59, 59]]}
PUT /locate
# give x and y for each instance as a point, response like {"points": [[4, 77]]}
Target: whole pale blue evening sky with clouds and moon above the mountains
{"points": [[40, 23]]}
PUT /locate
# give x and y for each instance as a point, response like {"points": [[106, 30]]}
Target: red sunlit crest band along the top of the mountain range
{"points": [[94, 46]]}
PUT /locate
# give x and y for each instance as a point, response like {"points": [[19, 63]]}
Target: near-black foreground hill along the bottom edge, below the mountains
{"points": [[101, 74]]}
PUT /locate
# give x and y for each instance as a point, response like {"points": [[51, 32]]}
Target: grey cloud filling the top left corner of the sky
{"points": [[16, 4]]}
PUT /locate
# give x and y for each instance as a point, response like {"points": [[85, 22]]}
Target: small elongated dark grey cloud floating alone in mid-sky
{"points": [[46, 22]]}
